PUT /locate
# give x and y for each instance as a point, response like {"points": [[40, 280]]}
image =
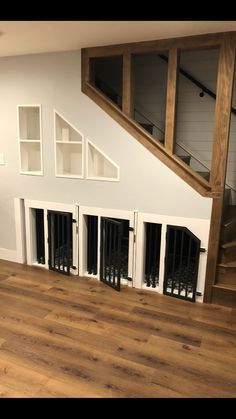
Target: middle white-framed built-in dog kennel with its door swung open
{"points": [[106, 250]]}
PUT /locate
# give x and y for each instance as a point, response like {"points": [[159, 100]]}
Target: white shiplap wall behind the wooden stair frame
{"points": [[195, 114]]}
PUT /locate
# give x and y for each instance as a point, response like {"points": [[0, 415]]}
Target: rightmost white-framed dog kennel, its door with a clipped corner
{"points": [[171, 255]]}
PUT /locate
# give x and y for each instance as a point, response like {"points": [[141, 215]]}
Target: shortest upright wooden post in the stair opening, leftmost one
{"points": [[127, 96]]}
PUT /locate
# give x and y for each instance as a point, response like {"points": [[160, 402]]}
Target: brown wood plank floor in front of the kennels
{"points": [[70, 337]]}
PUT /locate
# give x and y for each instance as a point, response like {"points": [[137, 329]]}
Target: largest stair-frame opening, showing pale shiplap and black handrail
{"points": [[195, 112]]}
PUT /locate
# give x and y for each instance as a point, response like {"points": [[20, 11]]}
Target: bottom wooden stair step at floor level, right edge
{"points": [[224, 295]]}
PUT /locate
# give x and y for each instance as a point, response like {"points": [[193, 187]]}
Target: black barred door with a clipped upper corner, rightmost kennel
{"points": [[181, 263]]}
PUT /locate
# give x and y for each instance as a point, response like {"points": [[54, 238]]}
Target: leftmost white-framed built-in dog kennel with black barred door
{"points": [[52, 236]]}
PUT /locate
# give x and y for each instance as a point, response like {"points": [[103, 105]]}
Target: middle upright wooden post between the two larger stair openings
{"points": [[171, 99]]}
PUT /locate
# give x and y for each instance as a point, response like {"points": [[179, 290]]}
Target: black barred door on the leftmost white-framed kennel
{"points": [[60, 241]]}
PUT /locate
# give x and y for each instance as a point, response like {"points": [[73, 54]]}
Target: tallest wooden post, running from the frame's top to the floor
{"points": [[219, 154]]}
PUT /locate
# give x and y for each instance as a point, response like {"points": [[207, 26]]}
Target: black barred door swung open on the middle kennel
{"points": [[110, 257]]}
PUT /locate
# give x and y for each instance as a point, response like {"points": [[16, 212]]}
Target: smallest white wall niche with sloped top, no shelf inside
{"points": [[98, 165]]}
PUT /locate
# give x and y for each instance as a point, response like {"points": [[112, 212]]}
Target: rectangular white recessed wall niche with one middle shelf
{"points": [[30, 139]]}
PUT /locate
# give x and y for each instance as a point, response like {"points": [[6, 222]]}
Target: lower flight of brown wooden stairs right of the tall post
{"points": [[224, 290]]}
